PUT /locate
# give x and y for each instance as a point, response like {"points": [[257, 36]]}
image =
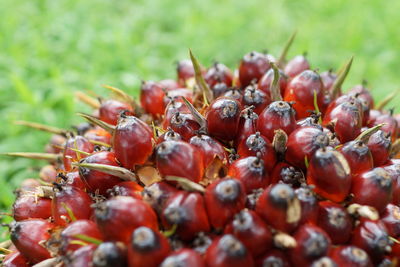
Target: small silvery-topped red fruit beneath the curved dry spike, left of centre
{"points": [[184, 124]]}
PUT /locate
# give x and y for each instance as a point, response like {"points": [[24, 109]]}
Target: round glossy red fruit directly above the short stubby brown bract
{"points": [[278, 115]]}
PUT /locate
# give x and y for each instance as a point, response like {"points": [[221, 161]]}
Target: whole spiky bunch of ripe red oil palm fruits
{"points": [[271, 165]]}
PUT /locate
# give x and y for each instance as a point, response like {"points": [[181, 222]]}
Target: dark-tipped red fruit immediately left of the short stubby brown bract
{"points": [[256, 143]]}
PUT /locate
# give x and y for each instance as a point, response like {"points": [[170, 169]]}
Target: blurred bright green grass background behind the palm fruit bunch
{"points": [[49, 49]]}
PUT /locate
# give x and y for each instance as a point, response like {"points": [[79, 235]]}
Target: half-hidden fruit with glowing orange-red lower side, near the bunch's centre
{"points": [[210, 148]]}
